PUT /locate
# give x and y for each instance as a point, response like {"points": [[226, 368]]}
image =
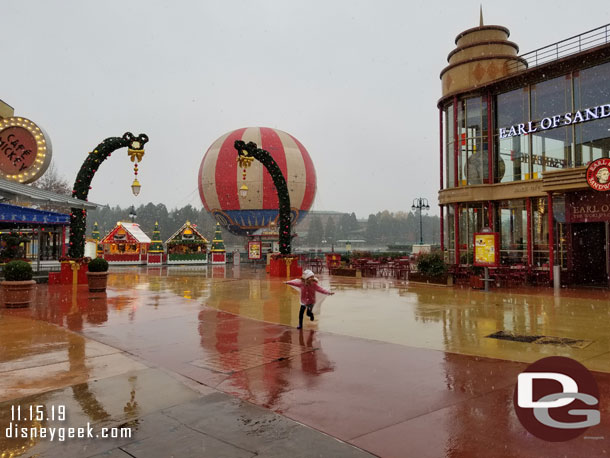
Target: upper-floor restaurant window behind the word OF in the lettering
{"points": [[552, 148]]}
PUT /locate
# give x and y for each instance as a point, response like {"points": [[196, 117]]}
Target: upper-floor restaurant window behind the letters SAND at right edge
{"points": [[592, 138]]}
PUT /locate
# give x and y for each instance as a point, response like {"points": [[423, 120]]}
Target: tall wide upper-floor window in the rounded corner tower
{"points": [[472, 141]]}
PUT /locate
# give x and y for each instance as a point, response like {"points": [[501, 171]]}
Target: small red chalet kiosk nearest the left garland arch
{"points": [[125, 244]]}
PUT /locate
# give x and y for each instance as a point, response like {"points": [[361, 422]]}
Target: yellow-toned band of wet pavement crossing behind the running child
{"points": [[440, 318]]}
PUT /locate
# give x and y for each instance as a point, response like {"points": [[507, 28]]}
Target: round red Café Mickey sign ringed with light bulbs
{"points": [[25, 150]]}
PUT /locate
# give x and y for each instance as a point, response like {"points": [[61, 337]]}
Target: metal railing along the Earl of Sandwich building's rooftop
{"points": [[564, 48]]}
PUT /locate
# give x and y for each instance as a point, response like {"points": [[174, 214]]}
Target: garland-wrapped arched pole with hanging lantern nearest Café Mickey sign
{"points": [[82, 185]]}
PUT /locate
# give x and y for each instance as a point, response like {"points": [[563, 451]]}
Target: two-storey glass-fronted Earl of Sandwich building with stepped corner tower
{"points": [[524, 148]]}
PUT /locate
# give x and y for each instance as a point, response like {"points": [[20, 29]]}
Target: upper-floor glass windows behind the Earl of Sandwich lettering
{"points": [[524, 157]]}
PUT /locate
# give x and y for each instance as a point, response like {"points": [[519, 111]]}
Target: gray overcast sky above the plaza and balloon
{"points": [[355, 81]]}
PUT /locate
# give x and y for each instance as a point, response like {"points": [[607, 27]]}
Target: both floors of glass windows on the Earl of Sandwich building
{"points": [[543, 126]]}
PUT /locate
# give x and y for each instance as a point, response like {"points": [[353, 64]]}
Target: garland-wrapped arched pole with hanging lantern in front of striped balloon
{"points": [[245, 154]]}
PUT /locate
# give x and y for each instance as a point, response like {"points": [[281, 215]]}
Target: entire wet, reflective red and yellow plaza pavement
{"points": [[211, 356]]}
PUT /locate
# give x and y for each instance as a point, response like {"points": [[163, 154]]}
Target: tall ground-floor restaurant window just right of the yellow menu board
{"points": [[512, 222]]}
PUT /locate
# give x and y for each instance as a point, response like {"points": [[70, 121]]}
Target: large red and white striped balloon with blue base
{"points": [[220, 179]]}
